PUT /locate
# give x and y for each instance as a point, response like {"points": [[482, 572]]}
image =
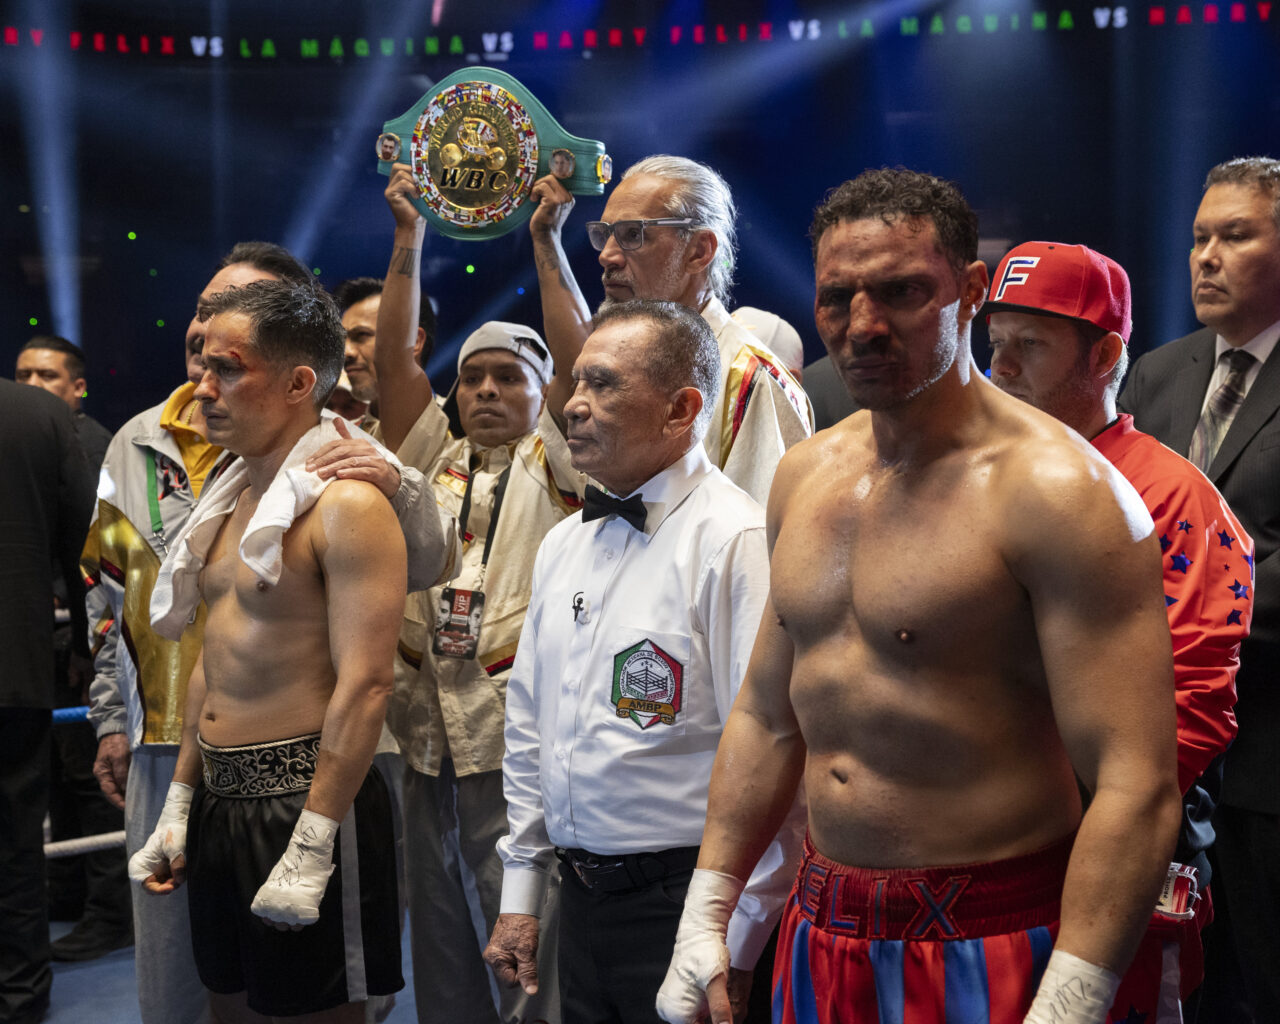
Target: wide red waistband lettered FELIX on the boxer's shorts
{"points": [[959, 902]]}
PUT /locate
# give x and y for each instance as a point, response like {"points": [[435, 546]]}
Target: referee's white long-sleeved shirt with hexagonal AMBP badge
{"points": [[614, 715]]}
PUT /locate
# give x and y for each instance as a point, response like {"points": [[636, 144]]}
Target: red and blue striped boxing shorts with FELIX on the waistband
{"points": [[957, 945]]}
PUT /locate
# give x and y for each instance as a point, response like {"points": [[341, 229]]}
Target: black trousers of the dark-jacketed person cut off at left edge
{"points": [[25, 973]]}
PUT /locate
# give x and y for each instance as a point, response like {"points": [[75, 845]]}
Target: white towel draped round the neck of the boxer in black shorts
{"points": [[294, 491]]}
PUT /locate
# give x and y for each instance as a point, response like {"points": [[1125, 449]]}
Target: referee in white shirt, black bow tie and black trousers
{"points": [[642, 621]]}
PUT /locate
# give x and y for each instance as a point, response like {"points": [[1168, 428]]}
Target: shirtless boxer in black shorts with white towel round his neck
{"points": [[287, 701]]}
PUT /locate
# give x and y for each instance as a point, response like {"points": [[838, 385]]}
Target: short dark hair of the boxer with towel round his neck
{"points": [[291, 326]]}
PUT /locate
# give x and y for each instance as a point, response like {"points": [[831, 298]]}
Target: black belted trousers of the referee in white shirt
{"points": [[615, 949]]}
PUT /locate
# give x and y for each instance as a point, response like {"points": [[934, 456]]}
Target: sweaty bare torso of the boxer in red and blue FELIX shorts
{"points": [[918, 682]]}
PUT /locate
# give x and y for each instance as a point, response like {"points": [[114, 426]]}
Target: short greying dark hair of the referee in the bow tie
{"points": [[683, 353]]}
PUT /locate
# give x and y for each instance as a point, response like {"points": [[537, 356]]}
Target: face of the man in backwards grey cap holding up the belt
{"points": [[500, 397]]}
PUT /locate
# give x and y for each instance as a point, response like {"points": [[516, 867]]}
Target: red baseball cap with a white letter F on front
{"points": [[1055, 280]]}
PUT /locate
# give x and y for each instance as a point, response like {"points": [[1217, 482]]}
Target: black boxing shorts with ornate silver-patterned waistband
{"points": [[241, 820]]}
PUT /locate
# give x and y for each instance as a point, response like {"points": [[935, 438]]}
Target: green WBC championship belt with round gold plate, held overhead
{"points": [[477, 144]]}
